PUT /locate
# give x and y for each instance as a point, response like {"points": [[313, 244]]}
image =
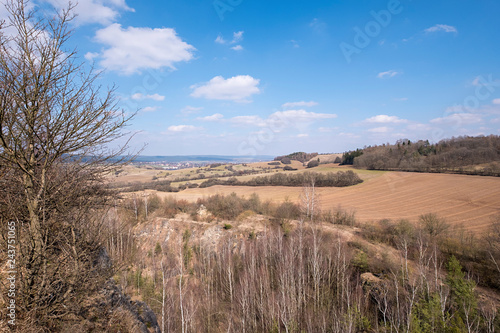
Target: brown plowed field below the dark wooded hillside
{"points": [[472, 201]]}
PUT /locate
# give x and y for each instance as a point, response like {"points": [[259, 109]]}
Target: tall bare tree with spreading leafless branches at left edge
{"points": [[55, 125]]}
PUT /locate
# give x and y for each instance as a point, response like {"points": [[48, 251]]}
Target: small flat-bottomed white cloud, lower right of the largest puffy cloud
{"points": [[237, 88]]}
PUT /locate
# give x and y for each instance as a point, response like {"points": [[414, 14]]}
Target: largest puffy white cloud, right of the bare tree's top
{"points": [[133, 49]]}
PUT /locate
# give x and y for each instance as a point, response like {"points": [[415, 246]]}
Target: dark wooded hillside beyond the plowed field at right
{"points": [[467, 155]]}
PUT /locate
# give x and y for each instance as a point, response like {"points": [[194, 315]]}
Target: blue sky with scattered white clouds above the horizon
{"points": [[241, 77]]}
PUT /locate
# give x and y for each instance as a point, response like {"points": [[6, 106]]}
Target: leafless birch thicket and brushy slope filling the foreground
{"points": [[297, 275]]}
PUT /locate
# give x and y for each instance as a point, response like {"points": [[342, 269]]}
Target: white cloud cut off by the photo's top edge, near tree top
{"points": [[95, 11]]}
